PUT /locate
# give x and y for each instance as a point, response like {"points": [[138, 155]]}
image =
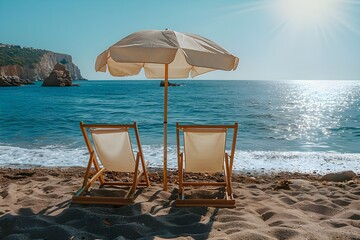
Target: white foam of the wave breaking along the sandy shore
{"points": [[245, 161]]}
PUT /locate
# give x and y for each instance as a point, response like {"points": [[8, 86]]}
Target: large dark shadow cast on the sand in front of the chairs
{"points": [[156, 217]]}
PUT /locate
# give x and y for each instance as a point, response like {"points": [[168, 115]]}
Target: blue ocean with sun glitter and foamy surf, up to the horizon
{"points": [[296, 126]]}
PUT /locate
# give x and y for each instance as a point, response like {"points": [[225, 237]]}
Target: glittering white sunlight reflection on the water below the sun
{"points": [[319, 106]]}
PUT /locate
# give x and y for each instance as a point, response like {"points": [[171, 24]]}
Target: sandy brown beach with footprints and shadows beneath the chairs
{"points": [[36, 204]]}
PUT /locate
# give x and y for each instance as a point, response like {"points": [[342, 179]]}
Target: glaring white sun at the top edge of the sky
{"points": [[307, 12]]}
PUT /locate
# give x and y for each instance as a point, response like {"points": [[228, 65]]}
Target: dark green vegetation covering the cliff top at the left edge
{"points": [[16, 55]]}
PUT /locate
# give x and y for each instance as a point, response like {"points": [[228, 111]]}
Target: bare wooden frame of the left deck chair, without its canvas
{"points": [[81, 198]]}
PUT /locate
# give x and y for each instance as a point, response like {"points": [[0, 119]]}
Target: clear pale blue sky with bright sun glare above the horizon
{"points": [[274, 39]]}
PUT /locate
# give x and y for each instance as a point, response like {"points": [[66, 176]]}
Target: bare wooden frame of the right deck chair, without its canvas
{"points": [[228, 201]]}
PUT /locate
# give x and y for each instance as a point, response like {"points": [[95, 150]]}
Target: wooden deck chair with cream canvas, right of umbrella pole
{"points": [[204, 152]]}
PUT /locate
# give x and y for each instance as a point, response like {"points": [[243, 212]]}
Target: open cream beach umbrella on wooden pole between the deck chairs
{"points": [[167, 55]]}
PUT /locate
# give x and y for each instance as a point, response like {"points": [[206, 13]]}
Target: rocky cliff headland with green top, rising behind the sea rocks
{"points": [[33, 64]]}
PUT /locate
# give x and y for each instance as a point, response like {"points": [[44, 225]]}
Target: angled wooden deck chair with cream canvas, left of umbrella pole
{"points": [[110, 145]]}
